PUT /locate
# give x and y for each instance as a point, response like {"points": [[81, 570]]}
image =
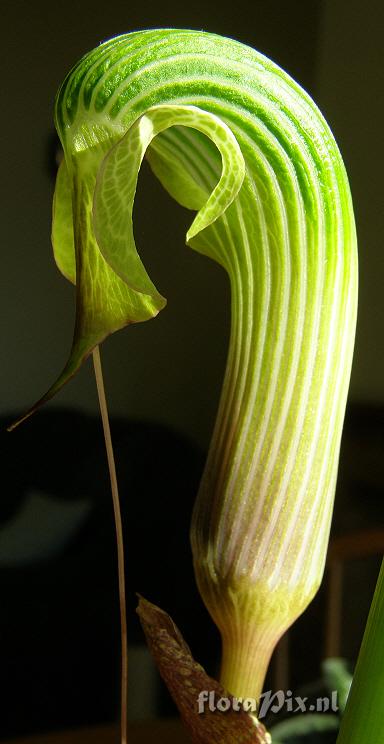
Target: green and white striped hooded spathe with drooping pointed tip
{"points": [[233, 137]]}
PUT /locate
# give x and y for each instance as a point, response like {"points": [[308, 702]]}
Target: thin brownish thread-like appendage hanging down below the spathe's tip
{"points": [[119, 539]]}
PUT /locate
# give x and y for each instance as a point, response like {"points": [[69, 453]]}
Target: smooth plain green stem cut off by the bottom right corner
{"points": [[363, 720]]}
